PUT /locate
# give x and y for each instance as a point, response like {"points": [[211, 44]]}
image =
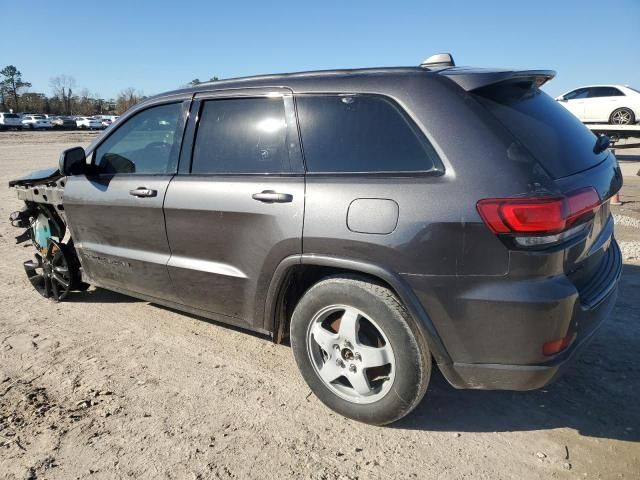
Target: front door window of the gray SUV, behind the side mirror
{"points": [[147, 143]]}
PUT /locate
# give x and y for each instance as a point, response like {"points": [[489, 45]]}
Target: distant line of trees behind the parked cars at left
{"points": [[64, 100]]}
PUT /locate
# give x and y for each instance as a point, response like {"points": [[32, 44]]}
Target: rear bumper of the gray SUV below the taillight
{"points": [[495, 340]]}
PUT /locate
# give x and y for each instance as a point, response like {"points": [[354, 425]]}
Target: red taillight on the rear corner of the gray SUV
{"points": [[543, 220]]}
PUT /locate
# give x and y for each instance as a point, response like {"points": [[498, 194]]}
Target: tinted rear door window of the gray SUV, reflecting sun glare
{"points": [[241, 135]]}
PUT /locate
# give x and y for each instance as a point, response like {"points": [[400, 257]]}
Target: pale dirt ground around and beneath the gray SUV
{"points": [[105, 386]]}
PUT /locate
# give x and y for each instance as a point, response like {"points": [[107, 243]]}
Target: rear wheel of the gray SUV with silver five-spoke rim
{"points": [[385, 348]]}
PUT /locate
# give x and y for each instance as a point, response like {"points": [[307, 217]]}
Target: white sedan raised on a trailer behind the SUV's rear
{"points": [[615, 104]]}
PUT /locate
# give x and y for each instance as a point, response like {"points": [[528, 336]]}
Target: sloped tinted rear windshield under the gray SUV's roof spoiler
{"points": [[553, 135]]}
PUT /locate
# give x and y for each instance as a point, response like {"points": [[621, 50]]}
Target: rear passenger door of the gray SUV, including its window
{"points": [[235, 209]]}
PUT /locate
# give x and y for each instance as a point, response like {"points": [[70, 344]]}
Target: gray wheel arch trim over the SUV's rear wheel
{"points": [[284, 292]]}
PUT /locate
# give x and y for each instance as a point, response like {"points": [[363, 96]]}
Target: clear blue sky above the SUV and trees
{"points": [[159, 45]]}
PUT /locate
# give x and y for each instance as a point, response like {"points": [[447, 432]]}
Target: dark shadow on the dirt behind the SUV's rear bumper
{"points": [[598, 396]]}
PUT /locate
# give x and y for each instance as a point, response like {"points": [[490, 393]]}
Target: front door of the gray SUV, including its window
{"points": [[115, 214]]}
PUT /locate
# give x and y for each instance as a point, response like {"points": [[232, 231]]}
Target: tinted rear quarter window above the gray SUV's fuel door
{"points": [[360, 133]]}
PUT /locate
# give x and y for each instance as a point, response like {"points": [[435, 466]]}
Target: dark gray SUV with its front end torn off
{"points": [[379, 220]]}
